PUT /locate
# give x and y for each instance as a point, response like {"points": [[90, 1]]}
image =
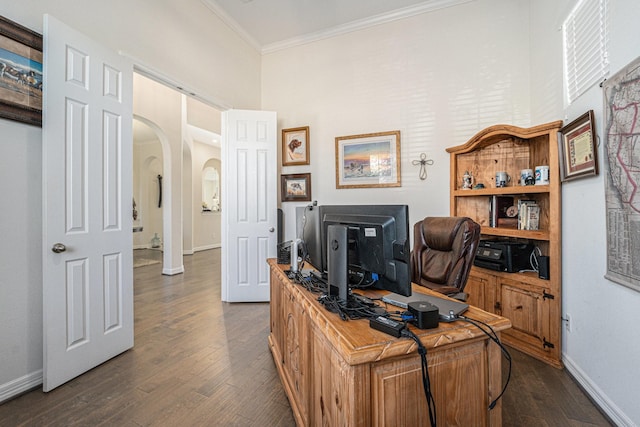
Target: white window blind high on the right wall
{"points": [[585, 33]]}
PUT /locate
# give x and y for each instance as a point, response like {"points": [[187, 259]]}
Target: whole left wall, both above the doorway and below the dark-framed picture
{"points": [[189, 45]]}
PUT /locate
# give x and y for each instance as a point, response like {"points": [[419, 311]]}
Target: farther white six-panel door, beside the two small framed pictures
{"points": [[249, 214]]}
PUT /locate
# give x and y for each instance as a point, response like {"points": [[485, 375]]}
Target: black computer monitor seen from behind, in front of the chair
{"points": [[375, 239]]}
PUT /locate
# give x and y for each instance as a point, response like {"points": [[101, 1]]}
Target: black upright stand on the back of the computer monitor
{"points": [[337, 261]]}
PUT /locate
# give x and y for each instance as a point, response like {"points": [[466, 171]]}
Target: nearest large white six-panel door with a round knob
{"points": [[87, 217]]}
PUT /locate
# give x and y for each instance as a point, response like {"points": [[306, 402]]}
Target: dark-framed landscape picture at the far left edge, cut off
{"points": [[20, 73]]}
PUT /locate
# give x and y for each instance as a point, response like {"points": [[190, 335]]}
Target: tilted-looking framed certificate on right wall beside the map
{"points": [[578, 152]]}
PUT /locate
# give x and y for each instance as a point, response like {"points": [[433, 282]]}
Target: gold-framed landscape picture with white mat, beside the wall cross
{"points": [[369, 160]]}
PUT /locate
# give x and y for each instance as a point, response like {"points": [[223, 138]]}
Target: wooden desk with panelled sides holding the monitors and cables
{"points": [[343, 373]]}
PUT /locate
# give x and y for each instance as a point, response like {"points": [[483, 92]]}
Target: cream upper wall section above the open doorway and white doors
{"points": [[188, 44]]}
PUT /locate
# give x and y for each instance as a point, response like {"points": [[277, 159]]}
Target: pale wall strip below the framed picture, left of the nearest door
{"points": [[20, 256]]}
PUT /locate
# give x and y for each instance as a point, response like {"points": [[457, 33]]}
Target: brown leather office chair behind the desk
{"points": [[443, 253]]}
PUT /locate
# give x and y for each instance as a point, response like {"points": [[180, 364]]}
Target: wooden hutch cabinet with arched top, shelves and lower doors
{"points": [[532, 304]]}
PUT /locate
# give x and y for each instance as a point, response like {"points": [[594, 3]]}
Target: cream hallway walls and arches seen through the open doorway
{"points": [[174, 137]]}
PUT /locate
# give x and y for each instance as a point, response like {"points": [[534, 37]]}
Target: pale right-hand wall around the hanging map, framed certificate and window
{"points": [[602, 349]]}
